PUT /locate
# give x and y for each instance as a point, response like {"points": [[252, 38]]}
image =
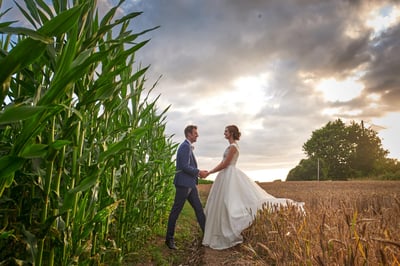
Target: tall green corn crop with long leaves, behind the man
{"points": [[85, 165]]}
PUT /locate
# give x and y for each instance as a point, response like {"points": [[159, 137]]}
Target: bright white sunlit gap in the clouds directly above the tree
{"points": [[342, 91]]}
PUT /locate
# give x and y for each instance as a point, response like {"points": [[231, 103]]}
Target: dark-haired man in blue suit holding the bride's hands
{"points": [[186, 179]]}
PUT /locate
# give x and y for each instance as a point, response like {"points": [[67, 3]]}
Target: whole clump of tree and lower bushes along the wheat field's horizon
{"points": [[340, 152]]}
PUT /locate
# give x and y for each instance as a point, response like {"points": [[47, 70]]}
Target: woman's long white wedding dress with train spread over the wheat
{"points": [[232, 204]]}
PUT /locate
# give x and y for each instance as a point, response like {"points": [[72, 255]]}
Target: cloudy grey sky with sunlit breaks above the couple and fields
{"points": [[279, 69]]}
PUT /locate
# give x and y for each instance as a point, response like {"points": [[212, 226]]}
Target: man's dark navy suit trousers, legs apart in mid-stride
{"points": [[182, 194]]}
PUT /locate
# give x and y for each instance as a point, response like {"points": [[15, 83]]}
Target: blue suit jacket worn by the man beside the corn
{"points": [[186, 166]]}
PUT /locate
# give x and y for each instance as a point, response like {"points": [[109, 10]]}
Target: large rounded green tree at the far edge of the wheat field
{"points": [[347, 151]]}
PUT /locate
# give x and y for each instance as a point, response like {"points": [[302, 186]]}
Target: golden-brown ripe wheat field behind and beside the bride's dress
{"points": [[346, 223]]}
